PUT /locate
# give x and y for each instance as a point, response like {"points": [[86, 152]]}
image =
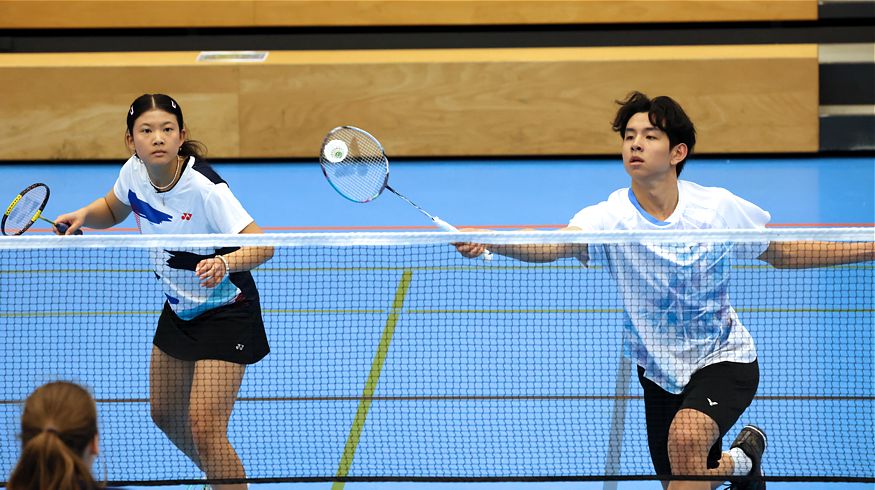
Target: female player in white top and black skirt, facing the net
{"points": [[211, 325]]}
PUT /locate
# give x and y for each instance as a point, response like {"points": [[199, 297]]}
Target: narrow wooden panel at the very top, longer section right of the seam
{"points": [[485, 12]]}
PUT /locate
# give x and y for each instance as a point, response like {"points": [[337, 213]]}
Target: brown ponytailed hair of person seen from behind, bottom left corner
{"points": [[58, 424]]}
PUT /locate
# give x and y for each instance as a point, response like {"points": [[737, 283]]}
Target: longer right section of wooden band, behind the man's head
{"points": [[529, 102]]}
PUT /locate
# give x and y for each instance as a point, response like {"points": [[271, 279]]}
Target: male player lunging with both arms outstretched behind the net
{"points": [[696, 361]]}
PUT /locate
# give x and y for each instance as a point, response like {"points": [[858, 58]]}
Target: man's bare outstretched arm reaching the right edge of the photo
{"points": [[800, 255]]}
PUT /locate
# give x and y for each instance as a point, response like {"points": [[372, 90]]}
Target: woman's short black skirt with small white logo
{"points": [[233, 333]]}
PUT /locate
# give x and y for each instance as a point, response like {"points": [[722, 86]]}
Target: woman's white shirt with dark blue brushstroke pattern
{"points": [[200, 202]]}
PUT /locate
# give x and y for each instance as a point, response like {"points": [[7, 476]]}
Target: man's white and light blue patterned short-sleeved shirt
{"points": [[676, 295]]}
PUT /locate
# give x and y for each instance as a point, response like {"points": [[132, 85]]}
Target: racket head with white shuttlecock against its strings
{"points": [[354, 163]]}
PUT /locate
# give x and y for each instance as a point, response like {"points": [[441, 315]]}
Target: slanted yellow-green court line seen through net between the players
{"points": [[361, 415]]}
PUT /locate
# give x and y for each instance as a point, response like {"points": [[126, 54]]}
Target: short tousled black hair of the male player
{"points": [[664, 113]]}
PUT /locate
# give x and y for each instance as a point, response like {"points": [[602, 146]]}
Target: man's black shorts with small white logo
{"points": [[722, 391]]}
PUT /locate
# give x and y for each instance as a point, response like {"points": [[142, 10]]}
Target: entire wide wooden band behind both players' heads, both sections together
{"points": [[432, 103]]}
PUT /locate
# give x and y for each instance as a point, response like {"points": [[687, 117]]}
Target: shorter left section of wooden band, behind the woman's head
{"points": [[72, 106]]}
